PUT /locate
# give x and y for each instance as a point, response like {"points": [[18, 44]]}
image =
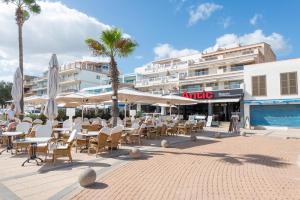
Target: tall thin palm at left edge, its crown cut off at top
{"points": [[23, 10]]}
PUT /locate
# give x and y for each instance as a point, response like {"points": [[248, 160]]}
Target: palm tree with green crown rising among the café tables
{"points": [[112, 44]]}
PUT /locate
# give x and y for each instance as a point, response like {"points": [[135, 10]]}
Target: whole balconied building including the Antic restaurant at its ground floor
{"points": [[213, 78]]}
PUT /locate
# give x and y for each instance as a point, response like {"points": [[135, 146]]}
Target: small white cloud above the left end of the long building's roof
{"points": [[167, 51]]}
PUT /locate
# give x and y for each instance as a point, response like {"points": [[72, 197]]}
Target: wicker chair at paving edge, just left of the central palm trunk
{"points": [[99, 143]]}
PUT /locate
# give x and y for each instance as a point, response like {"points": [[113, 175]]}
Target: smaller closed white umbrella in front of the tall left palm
{"points": [[17, 90]]}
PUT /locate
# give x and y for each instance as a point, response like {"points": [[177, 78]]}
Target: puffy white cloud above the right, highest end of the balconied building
{"points": [[277, 41]]}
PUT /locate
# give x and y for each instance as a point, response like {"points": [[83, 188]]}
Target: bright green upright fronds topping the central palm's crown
{"points": [[110, 37]]}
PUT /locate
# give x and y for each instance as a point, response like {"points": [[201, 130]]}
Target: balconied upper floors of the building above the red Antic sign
{"points": [[220, 70]]}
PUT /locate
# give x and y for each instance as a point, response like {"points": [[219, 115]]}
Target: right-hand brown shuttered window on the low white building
{"points": [[288, 83]]}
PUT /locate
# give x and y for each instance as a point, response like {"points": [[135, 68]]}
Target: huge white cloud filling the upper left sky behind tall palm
{"points": [[58, 29]]}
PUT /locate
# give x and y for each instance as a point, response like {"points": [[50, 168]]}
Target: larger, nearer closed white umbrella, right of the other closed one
{"points": [[52, 88]]}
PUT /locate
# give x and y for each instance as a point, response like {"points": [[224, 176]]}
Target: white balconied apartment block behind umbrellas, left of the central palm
{"points": [[73, 77]]}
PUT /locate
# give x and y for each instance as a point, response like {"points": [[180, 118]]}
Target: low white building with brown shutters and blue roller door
{"points": [[272, 95]]}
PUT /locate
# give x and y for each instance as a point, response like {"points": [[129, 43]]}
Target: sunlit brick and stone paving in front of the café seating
{"points": [[252, 167]]}
